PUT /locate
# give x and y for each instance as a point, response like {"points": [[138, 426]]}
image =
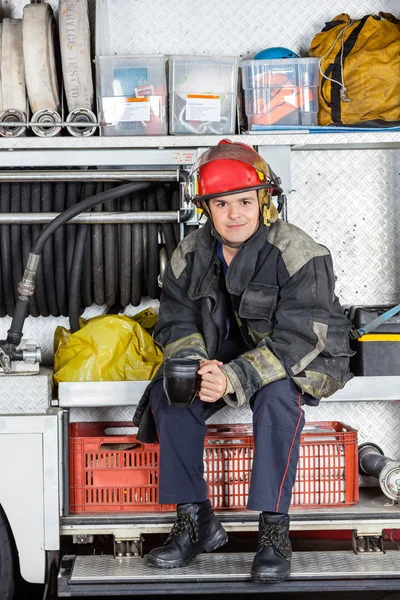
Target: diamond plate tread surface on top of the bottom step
{"points": [[235, 567]]}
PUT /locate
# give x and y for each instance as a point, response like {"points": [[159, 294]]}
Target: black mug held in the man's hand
{"points": [[181, 381]]}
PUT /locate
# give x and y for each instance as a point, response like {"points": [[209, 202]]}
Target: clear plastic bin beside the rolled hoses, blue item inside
{"points": [[132, 94]]}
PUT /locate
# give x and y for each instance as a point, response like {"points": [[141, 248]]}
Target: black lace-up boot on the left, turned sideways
{"points": [[195, 530]]}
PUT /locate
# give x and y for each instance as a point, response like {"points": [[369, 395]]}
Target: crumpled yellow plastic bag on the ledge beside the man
{"points": [[107, 348]]}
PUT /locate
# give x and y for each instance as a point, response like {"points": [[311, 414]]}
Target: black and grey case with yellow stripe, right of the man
{"points": [[377, 353]]}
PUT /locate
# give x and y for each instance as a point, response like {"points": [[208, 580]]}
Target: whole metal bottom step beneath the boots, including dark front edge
{"points": [[312, 571]]}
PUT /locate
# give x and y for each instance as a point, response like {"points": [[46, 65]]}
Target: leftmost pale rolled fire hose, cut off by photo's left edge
{"points": [[13, 92]]}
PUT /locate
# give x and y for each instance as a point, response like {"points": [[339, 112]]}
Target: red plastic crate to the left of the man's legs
{"points": [[112, 473]]}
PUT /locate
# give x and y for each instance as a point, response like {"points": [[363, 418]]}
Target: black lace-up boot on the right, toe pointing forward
{"points": [[274, 551]]}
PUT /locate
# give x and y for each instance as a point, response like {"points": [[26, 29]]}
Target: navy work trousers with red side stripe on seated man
{"points": [[278, 420]]}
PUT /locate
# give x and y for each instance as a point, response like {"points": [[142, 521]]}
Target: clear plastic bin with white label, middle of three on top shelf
{"points": [[203, 94]]}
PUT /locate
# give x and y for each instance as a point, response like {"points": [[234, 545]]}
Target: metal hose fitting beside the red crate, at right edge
{"points": [[373, 462]]}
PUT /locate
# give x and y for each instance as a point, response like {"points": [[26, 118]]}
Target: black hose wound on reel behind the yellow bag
{"points": [[34, 276]]}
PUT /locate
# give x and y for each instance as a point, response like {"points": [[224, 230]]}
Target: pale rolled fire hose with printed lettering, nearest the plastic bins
{"points": [[74, 34]]}
